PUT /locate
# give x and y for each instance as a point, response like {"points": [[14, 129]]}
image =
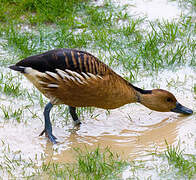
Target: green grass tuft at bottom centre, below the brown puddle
{"points": [[100, 165]]}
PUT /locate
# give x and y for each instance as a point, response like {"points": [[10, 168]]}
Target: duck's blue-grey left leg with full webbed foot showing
{"points": [[48, 127]]}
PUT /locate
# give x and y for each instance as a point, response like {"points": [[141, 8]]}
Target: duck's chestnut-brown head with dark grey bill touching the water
{"points": [[163, 101]]}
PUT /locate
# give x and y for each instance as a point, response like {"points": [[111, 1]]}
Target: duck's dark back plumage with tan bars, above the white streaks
{"points": [[75, 60]]}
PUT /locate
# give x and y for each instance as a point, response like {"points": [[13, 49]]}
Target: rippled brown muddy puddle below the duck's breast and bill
{"points": [[129, 142]]}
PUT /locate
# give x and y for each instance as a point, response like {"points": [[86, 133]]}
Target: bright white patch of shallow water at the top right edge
{"points": [[159, 9]]}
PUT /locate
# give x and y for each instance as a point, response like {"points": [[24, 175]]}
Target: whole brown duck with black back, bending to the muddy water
{"points": [[78, 79]]}
